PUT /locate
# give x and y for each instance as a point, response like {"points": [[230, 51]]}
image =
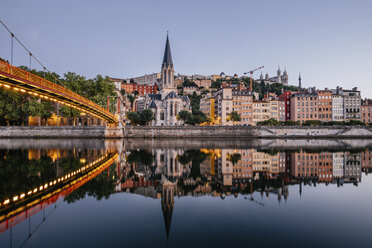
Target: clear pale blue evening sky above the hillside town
{"points": [[328, 42]]}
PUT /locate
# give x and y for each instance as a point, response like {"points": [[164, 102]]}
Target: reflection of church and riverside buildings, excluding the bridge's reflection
{"points": [[166, 173]]}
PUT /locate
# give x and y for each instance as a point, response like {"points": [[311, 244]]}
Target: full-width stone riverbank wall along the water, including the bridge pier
{"points": [[219, 132]]}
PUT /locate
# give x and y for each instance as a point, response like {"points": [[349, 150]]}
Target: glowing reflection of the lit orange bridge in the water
{"points": [[21, 207]]}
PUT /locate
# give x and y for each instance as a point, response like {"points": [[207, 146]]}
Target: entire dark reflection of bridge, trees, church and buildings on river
{"points": [[34, 181]]}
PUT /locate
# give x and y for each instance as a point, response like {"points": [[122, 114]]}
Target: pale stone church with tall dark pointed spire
{"points": [[167, 104]]}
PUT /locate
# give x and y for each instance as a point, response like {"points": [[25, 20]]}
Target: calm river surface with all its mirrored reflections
{"points": [[163, 194]]}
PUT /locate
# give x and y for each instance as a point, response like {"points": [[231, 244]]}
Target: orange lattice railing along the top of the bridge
{"points": [[45, 84]]}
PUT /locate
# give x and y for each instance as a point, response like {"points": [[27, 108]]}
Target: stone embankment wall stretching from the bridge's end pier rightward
{"points": [[248, 132]]}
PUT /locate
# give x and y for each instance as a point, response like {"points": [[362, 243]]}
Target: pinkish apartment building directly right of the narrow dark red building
{"points": [[304, 106]]}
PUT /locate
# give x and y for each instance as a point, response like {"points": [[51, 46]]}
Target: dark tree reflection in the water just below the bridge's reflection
{"points": [[102, 186]]}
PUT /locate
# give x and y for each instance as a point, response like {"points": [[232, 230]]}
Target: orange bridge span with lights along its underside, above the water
{"points": [[16, 79]]}
